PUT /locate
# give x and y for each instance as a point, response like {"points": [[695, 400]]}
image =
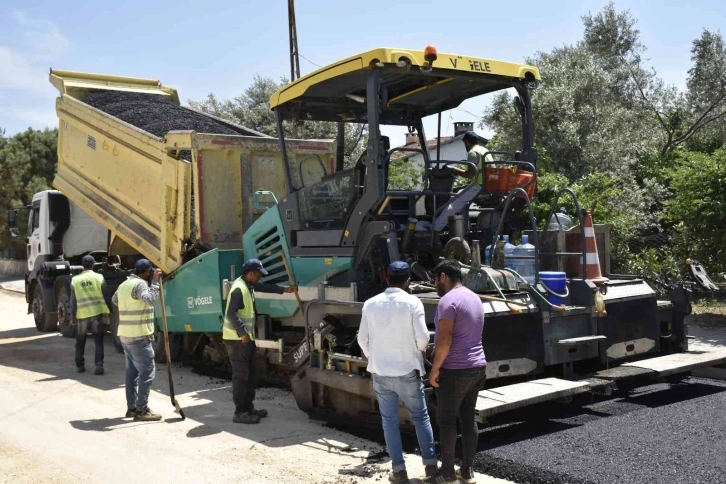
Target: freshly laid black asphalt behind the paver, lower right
{"points": [[658, 433]]}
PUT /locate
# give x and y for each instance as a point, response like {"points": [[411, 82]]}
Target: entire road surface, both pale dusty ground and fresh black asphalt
{"points": [[57, 426]]}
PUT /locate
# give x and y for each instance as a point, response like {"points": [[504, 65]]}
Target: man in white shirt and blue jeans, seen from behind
{"points": [[393, 336]]}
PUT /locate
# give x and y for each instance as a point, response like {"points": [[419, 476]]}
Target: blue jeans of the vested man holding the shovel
{"points": [[140, 371]]}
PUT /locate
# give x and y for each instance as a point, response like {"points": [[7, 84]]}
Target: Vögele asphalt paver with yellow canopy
{"points": [[341, 232]]}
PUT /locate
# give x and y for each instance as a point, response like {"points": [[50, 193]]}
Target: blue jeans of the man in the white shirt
{"points": [[409, 388]]}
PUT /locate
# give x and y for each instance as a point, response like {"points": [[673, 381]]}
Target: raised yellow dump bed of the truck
{"points": [[161, 194]]}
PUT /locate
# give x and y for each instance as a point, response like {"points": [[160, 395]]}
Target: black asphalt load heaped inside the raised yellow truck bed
{"points": [[154, 114]]}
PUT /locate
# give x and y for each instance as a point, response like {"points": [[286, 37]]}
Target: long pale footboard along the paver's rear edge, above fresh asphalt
{"points": [[502, 399]]}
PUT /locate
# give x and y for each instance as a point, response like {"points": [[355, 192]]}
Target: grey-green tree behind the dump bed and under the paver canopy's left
{"points": [[252, 110]]}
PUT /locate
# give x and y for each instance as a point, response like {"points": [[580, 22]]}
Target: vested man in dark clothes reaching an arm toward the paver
{"points": [[239, 339]]}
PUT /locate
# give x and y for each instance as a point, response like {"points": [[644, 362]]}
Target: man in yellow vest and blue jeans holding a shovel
{"points": [[135, 299]]}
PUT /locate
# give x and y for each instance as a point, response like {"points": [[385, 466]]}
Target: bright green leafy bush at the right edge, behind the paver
{"points": [[698, 207]]}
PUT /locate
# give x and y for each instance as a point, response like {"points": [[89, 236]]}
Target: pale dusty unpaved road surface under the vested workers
{"points": [[57, 426]]}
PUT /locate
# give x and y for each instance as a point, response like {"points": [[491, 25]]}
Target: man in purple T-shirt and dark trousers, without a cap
{"points": [[458, 372]]}
